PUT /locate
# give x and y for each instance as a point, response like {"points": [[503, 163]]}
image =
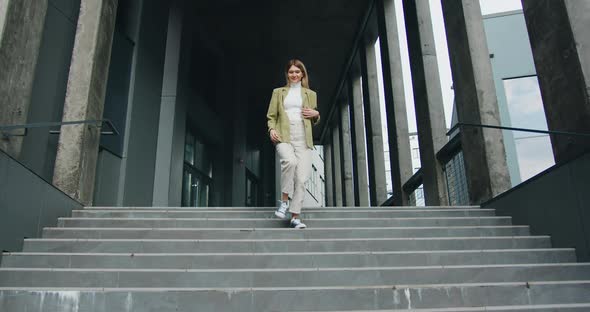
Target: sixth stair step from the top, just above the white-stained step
{"points": [[292, 277]]}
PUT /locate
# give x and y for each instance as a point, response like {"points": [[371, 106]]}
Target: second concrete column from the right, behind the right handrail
{"points": [[475, 96]]}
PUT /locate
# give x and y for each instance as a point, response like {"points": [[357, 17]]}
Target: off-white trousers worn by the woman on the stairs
{"points": [[295, 158]]}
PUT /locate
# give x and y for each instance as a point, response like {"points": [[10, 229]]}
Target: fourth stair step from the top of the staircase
{"points": [[283, 245]]}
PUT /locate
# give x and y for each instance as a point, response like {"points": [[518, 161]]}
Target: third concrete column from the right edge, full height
{"points": [[430, 114]]}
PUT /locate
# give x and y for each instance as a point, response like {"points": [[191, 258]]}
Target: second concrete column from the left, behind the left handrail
{"points": [[75, 164]]}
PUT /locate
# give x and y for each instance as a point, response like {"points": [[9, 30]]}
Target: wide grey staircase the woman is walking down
{"points": [[239, 259]]}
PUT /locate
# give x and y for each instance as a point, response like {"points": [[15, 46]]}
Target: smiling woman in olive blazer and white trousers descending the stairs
{"points": [[291, 111]]}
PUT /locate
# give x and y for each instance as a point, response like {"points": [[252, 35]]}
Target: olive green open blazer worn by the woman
{"points": [[278, 120]]}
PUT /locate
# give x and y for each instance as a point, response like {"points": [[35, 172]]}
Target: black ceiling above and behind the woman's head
{"points": [[263, 35]]}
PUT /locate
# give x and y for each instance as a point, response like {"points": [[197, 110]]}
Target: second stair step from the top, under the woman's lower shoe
{"points": [[276, 223]]}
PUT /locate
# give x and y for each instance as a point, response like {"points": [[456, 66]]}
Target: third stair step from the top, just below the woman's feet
{"points": [[268, 233]]}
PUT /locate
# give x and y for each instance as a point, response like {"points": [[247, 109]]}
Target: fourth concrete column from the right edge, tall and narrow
{"points": [[400, 156]]}
